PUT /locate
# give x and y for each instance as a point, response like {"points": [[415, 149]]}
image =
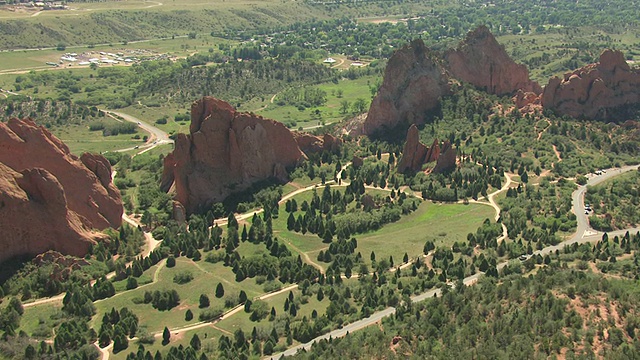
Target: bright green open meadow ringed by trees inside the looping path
{"points": [[442, 223]]}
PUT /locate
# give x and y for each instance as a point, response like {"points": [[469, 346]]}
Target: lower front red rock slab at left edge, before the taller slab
{"points": [[35, 217]]}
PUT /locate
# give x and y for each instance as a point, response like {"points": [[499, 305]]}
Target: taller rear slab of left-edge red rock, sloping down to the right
{"points": [[90, 192]]}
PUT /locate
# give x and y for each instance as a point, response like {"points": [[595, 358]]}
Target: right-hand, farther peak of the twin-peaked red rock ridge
{"points": [[481, 61]]}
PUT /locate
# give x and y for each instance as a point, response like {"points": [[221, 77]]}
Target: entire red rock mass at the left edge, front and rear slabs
{"points": [[49, 198]]}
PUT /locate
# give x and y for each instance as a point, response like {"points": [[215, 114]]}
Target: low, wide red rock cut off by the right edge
{"points": [[596, 91]]}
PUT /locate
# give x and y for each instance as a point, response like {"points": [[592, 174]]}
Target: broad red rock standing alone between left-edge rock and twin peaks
{"points": [[226, 152]]}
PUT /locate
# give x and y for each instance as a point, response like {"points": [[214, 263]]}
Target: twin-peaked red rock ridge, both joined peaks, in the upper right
{"points": [[415, 79]]}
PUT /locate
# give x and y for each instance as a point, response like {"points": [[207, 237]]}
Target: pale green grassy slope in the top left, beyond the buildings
{"points": [[124, 21]]}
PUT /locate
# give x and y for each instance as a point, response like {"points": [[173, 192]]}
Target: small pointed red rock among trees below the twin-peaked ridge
{"points": [[415, 154]]}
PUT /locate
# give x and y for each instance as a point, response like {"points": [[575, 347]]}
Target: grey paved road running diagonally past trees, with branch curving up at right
{"points": [[584, 234]]}
